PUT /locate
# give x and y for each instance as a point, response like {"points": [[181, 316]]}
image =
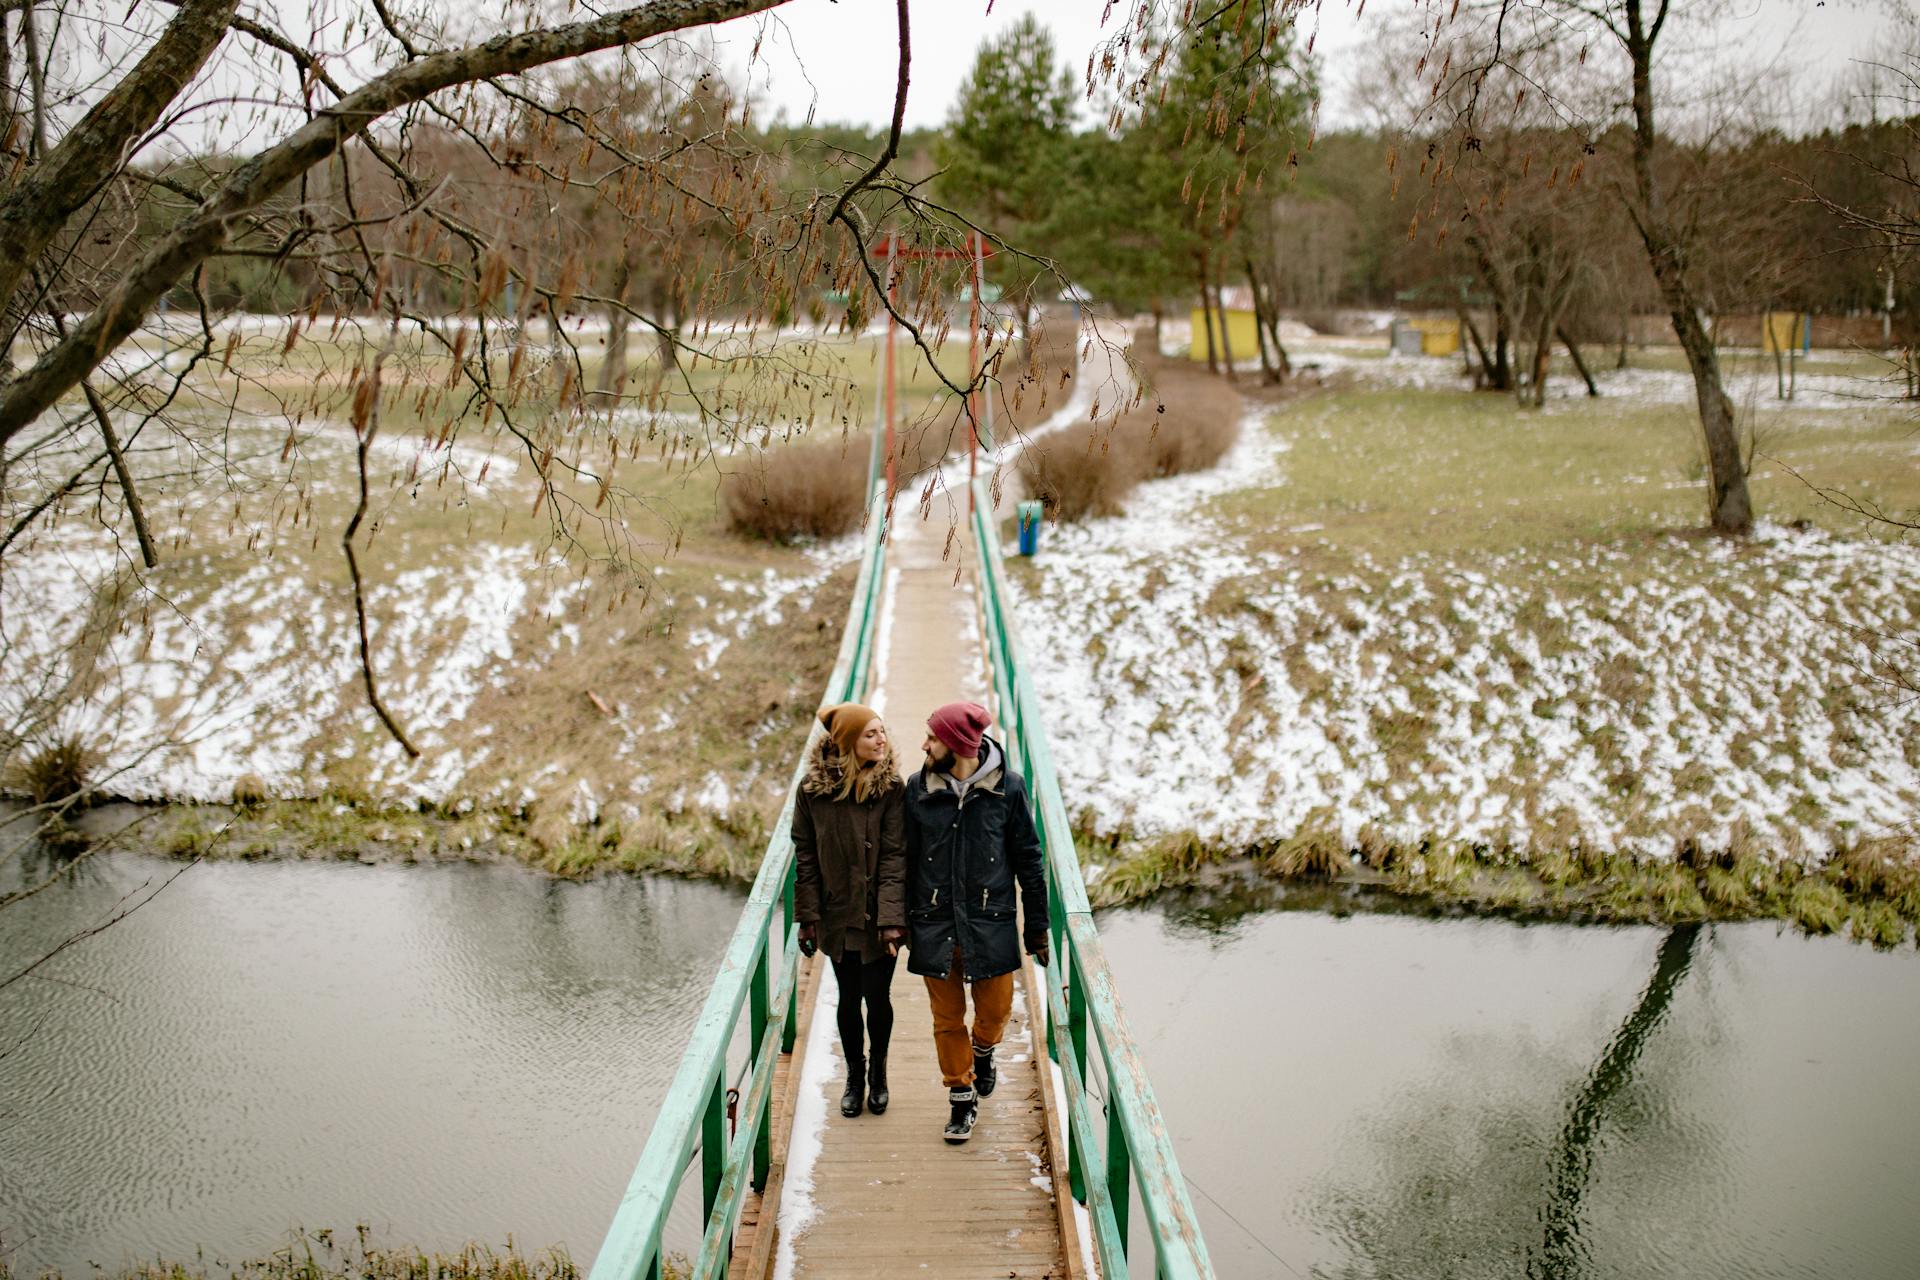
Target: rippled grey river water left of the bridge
{"points": [[446, 1053]]}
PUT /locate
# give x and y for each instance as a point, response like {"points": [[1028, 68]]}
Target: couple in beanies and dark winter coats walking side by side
{"points": [[928, 865]]}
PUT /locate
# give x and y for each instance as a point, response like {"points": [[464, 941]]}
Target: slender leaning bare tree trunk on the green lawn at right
{"points": [[1729, 506]]}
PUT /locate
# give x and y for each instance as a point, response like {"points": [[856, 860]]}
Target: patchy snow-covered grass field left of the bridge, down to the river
{"points": [[567, 713]]}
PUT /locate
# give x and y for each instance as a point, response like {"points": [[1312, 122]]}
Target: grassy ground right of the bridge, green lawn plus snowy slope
{"points": [[1420, 621]]}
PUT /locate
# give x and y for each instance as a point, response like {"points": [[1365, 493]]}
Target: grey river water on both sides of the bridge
{"points": [[468, 1053]]}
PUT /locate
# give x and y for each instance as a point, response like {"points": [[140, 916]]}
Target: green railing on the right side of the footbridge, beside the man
{"points": [[1130, 1150]]}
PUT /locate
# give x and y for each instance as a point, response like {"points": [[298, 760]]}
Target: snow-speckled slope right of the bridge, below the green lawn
{"points": [[1197, 684]]}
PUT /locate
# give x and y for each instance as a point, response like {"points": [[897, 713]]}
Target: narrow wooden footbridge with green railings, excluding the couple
{"points": [[1070, 1170]]}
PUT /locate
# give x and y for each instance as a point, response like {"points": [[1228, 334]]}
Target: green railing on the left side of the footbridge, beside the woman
{"points": [[696, 1112]]}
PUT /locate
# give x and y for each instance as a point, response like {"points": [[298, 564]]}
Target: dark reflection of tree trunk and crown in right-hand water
{"points": [[1487, 1173]]}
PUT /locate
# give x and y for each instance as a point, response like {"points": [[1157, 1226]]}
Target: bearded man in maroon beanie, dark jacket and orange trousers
{"points": [[969, 841]]}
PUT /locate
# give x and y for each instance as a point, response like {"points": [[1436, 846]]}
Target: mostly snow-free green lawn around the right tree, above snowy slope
{"points": [[1403, 471]]}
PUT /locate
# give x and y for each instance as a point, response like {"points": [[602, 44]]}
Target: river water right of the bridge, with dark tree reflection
{"points": [[1395, 1097]]}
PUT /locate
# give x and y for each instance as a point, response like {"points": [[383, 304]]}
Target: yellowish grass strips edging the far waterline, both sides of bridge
{"points": [[1869, 893]]}
